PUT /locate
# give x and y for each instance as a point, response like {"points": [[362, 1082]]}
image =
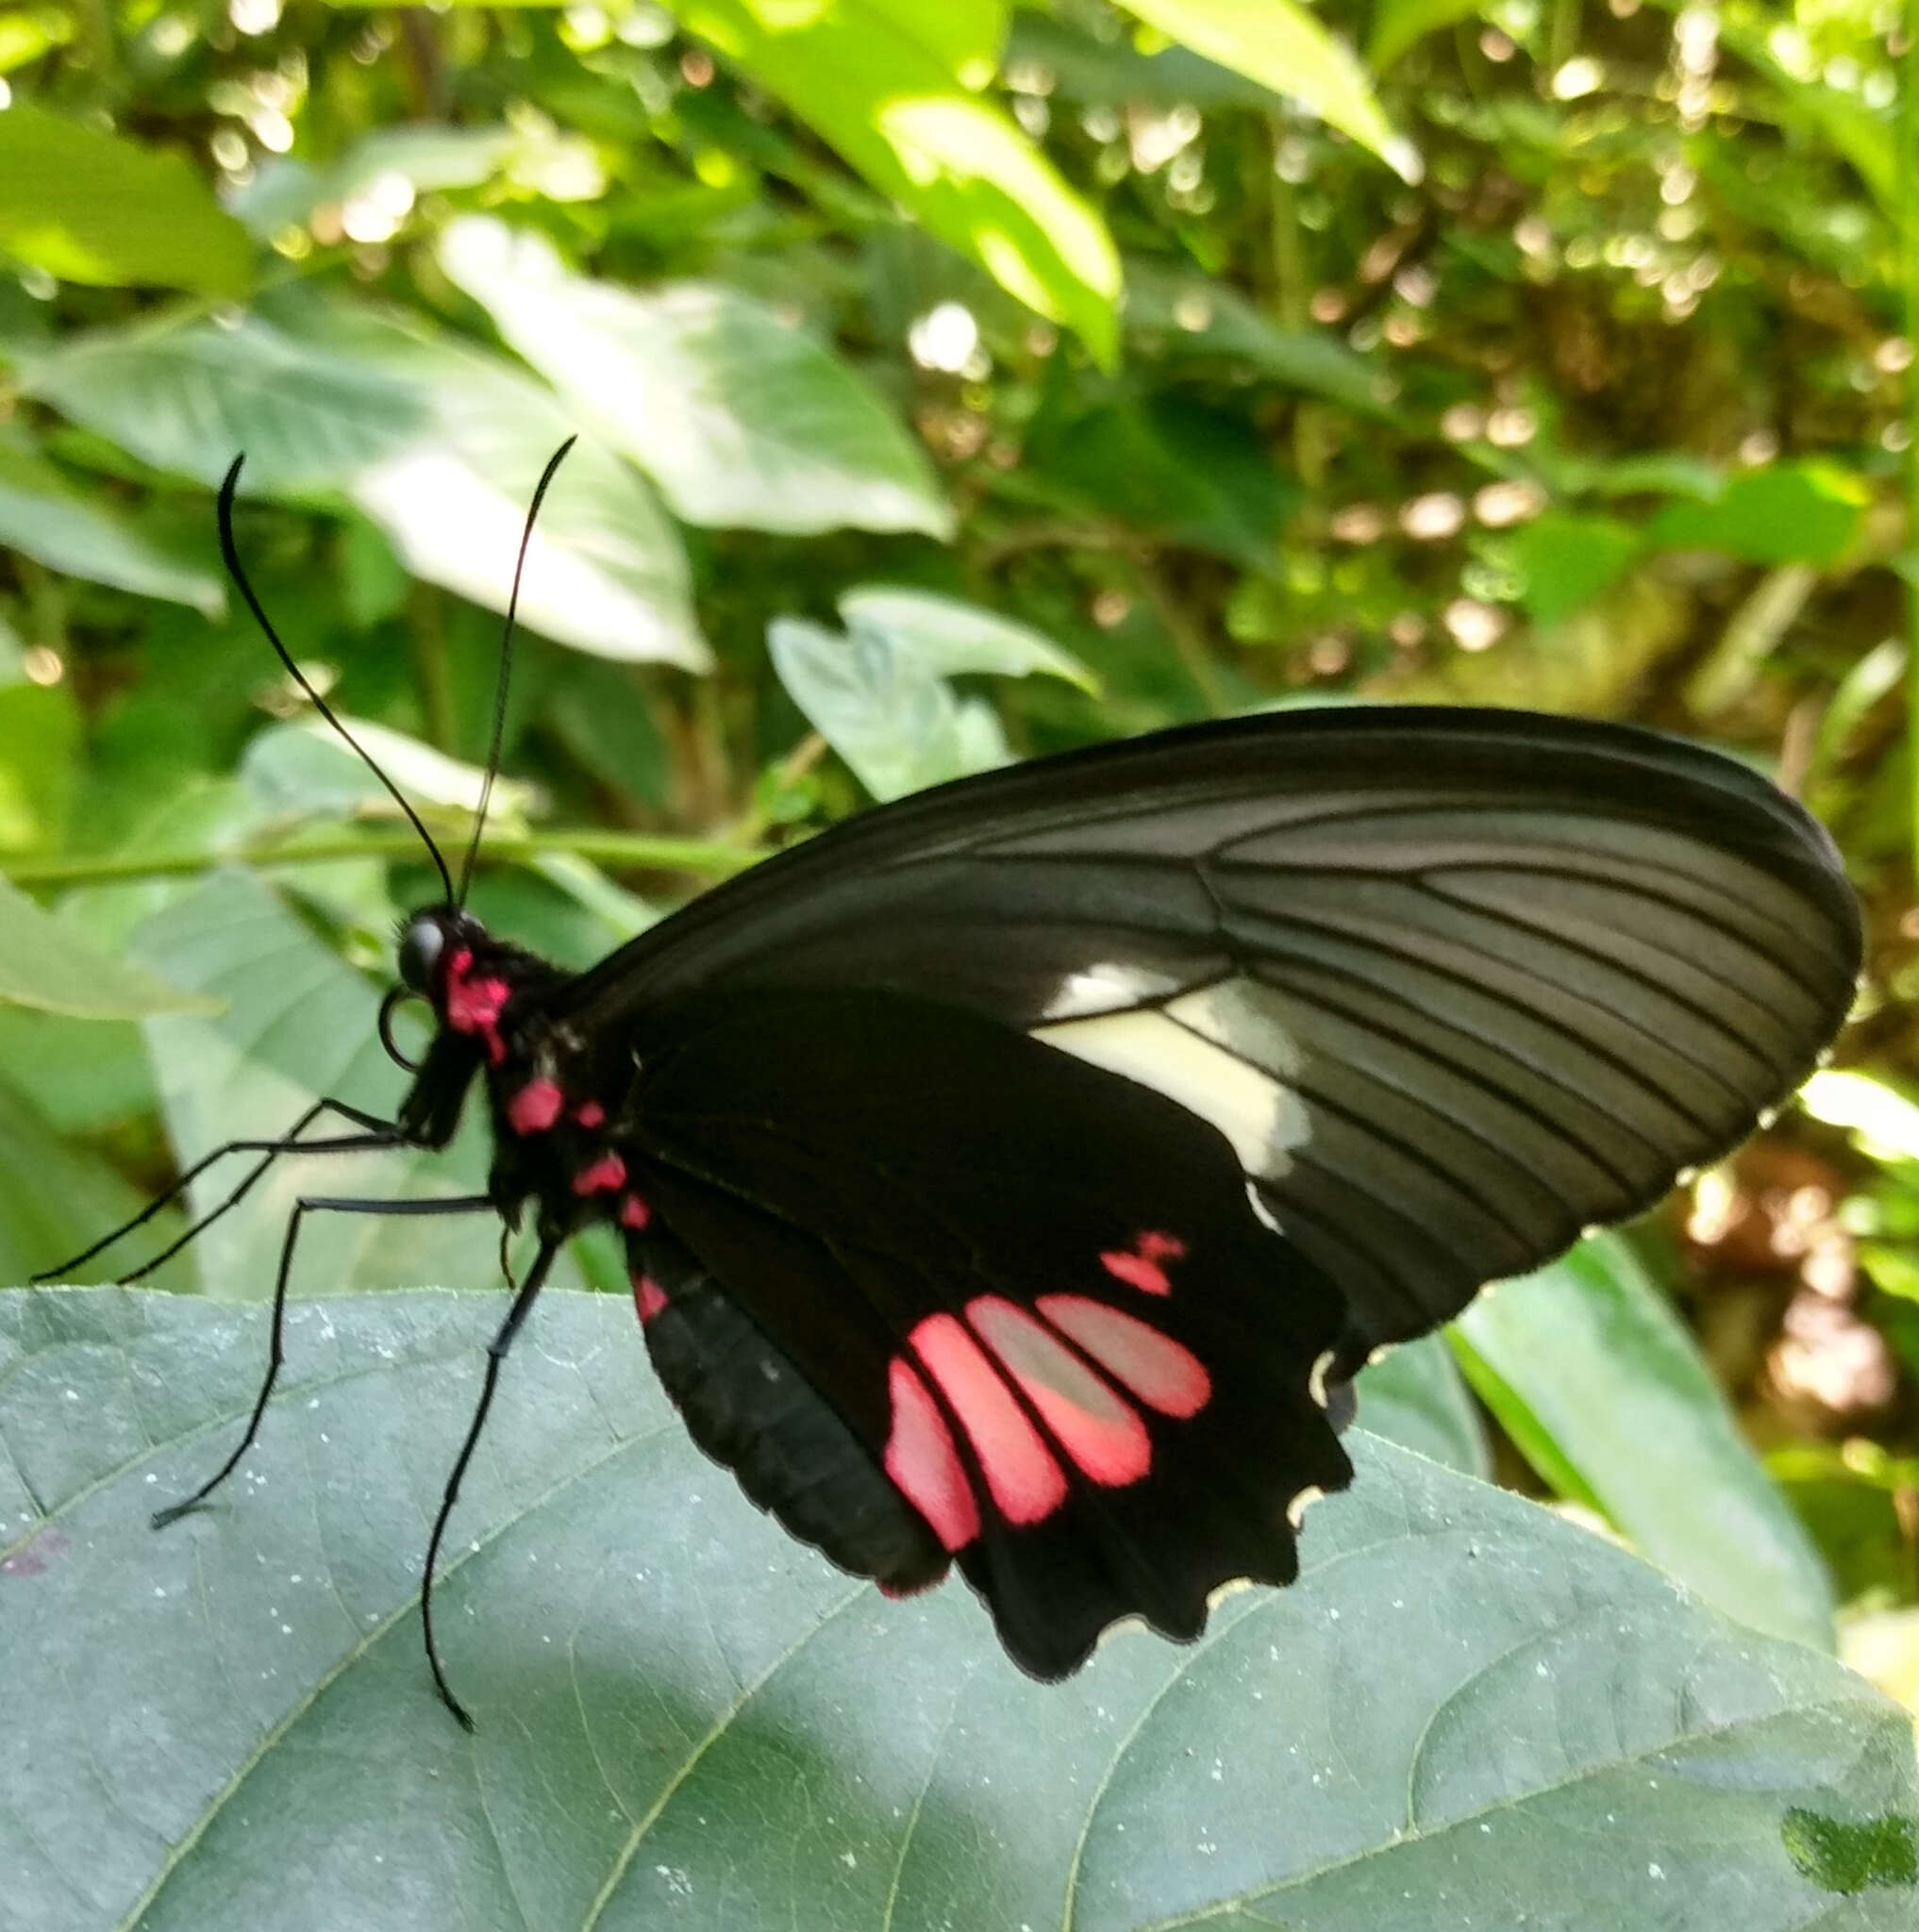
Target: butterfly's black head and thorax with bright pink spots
{"points": [[552, 1120]]}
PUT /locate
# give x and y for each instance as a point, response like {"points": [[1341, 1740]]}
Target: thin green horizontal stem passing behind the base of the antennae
{"points": [[627, 851]]}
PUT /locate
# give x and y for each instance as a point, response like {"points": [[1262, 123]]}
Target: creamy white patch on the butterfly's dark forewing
{"points": [[1255, 1110]]}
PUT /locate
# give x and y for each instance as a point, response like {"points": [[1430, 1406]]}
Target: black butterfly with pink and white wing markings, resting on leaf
{"points": [[1017, 1176]]}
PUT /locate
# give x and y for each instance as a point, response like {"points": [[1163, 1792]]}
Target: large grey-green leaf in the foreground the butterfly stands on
{"points": [[687, 1719]]}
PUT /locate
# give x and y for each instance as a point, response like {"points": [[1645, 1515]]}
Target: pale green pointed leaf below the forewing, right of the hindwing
{"points": [[1603, 1390]]}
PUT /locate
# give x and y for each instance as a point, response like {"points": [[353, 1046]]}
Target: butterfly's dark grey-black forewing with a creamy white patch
{"points": [[1454, 984]]}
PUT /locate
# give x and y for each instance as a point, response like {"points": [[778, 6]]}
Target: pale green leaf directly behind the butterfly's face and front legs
{"points": [[299, 1023]]}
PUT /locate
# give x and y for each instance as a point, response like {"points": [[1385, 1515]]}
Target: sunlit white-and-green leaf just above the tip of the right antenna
{"points": [[745, 420]]}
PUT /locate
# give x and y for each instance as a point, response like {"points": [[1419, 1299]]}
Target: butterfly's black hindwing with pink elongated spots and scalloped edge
{"points": [[1033, 1295]]}
